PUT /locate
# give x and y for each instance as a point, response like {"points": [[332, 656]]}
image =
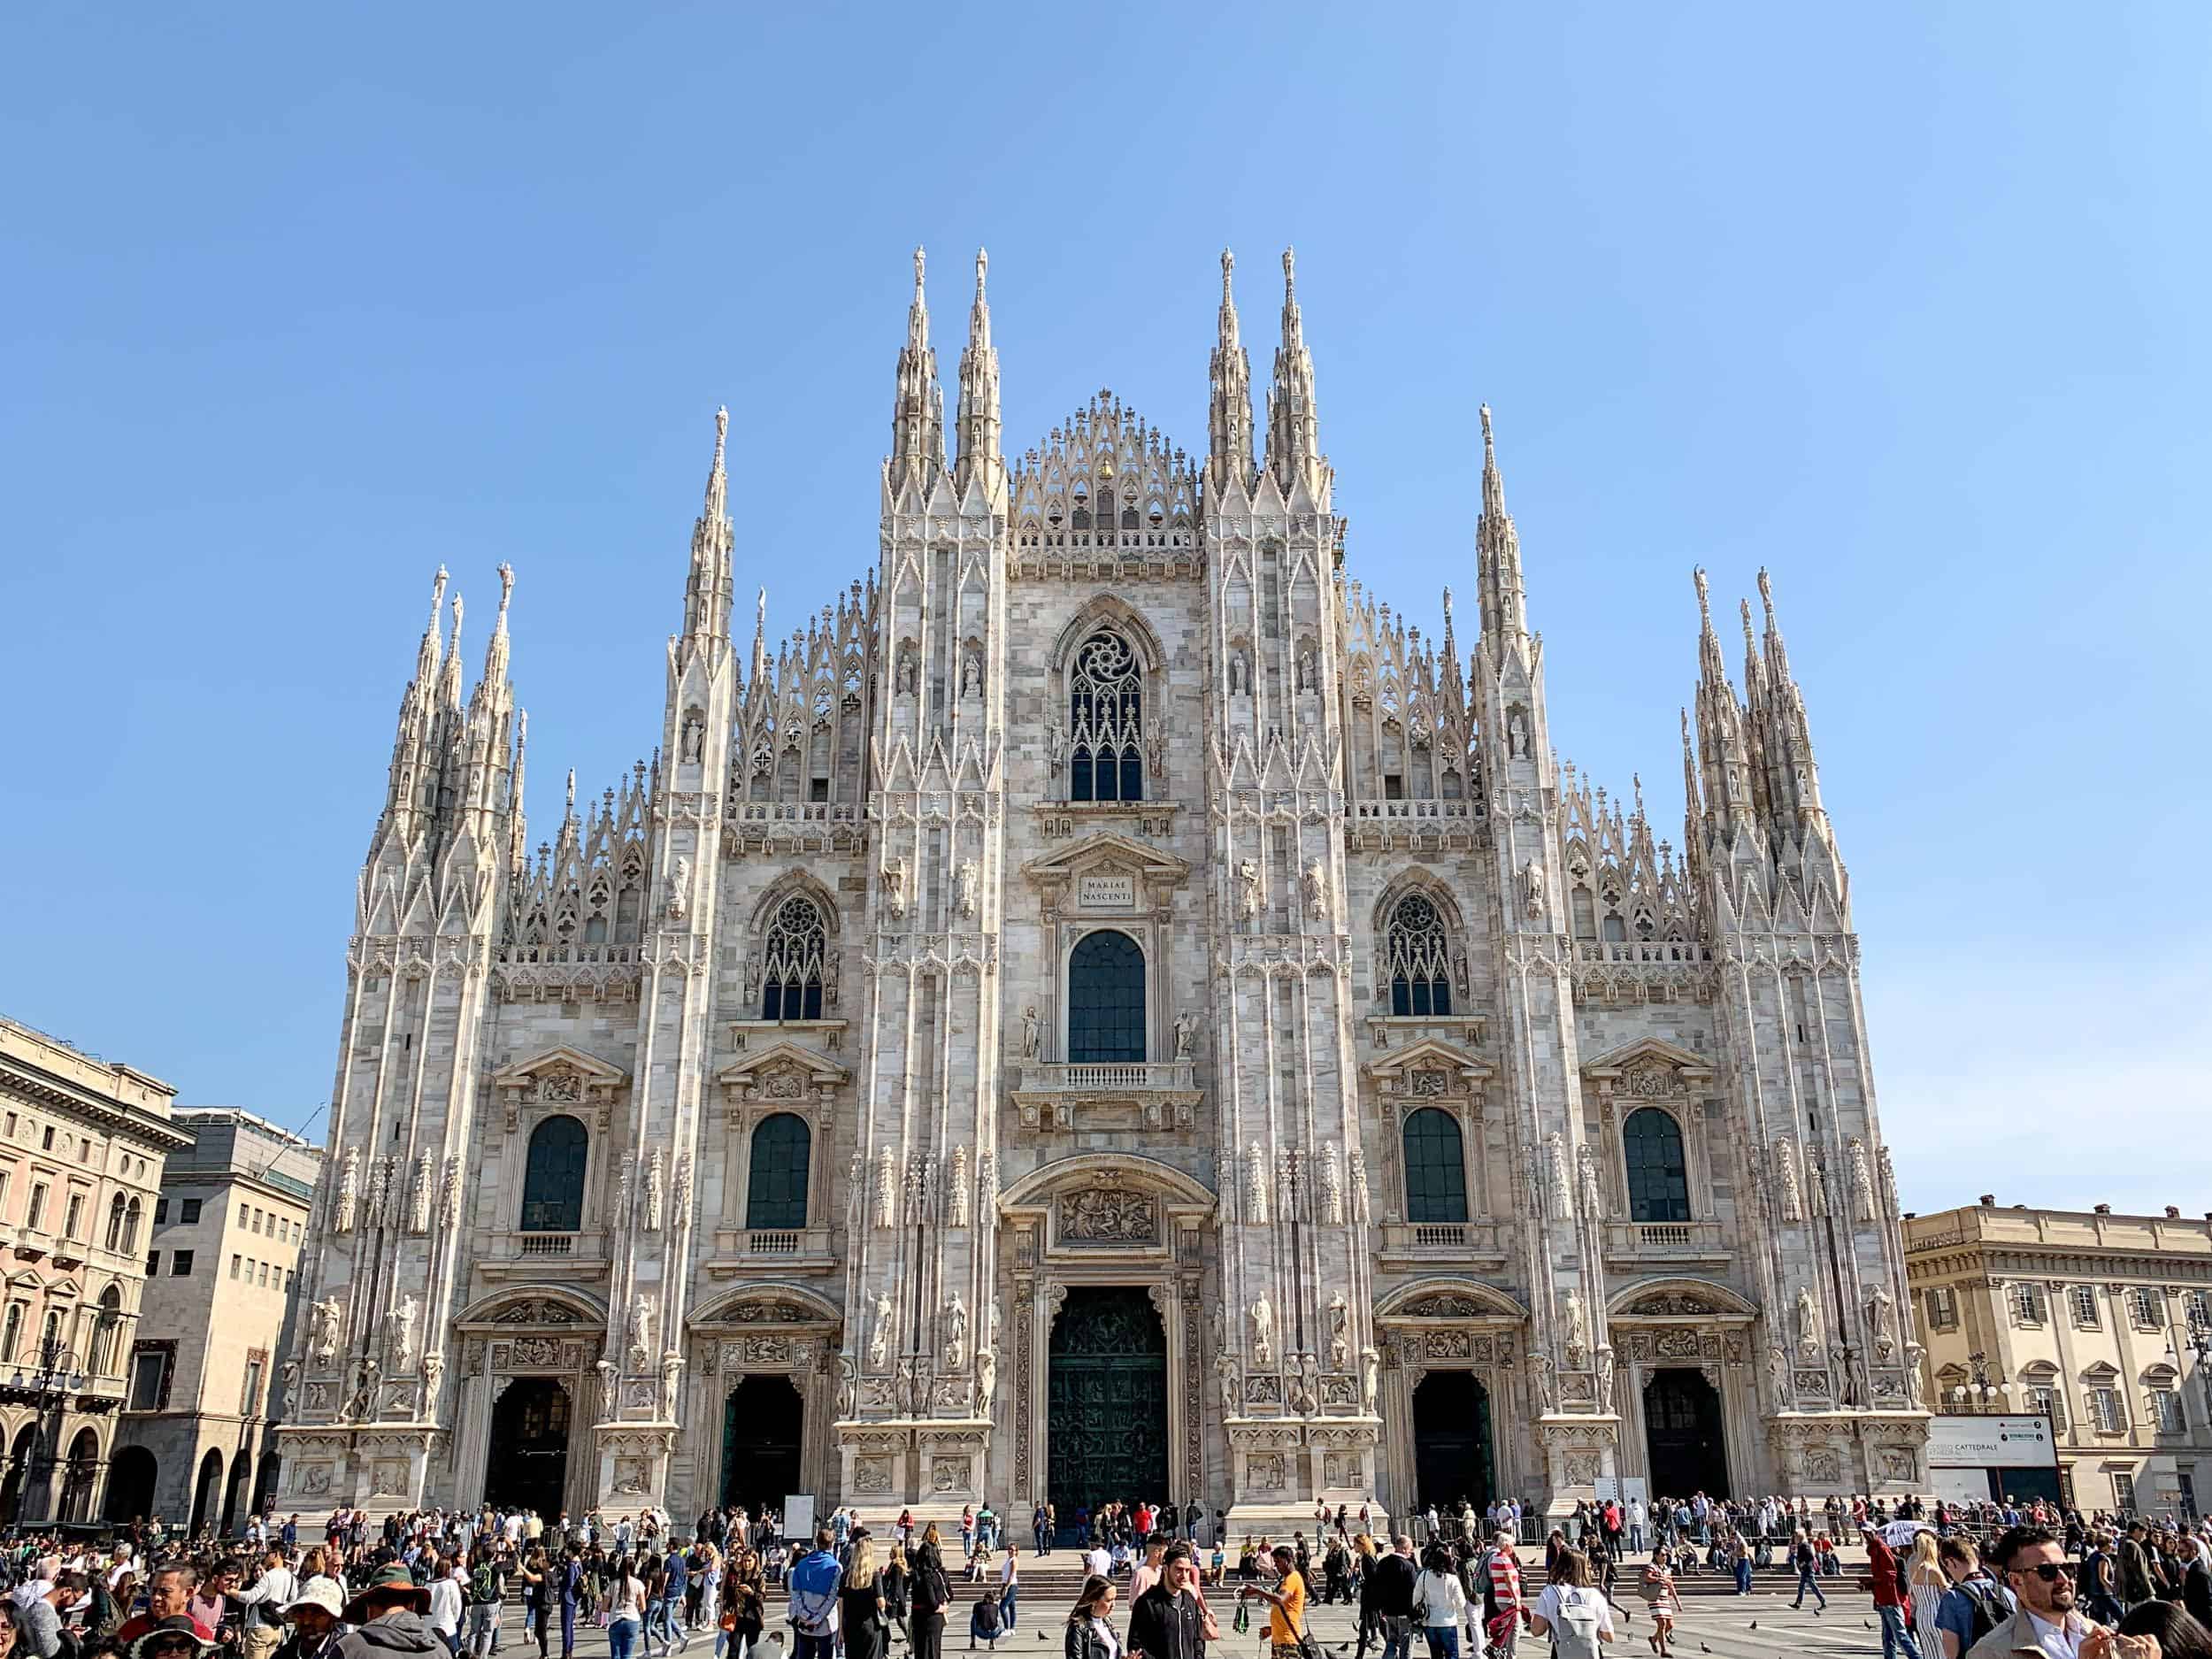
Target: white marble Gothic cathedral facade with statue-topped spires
{"points": [[857, 901]]}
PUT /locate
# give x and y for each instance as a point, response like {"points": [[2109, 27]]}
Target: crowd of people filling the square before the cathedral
{"points": [[1948, 1583]]}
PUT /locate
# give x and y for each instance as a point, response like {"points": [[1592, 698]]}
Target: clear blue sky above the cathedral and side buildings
{"points": [[1906, 304]]}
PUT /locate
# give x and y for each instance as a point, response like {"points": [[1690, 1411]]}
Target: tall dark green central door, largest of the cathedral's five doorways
{"points": [[1107, 1401]]}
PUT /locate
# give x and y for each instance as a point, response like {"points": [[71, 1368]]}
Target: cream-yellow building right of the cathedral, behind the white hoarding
{"points": [[2087, 1317]]}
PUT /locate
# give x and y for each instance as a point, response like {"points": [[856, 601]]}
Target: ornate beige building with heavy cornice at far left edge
{"points": [[81, 1167]]}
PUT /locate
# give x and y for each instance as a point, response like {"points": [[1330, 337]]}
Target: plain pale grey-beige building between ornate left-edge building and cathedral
{"points": [[205, 1386]]}
